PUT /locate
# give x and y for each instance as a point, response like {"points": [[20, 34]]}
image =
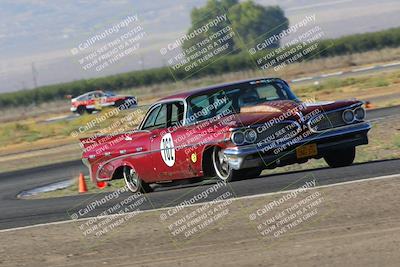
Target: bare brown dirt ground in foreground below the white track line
{"points": [[355, 224]]}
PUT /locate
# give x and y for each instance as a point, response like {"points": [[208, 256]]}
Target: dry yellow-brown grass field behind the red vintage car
{"points": [[24, 132]]}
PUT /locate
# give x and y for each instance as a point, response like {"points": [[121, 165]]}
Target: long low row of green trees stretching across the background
{"points": [[234, 62]]}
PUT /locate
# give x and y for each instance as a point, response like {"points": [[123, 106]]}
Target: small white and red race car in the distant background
{"points": [[96, 100]]}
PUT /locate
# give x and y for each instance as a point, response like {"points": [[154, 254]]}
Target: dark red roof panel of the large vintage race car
{"points": [[187, 94]]}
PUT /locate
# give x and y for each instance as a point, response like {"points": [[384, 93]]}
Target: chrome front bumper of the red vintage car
{"points": [[259, 155]]}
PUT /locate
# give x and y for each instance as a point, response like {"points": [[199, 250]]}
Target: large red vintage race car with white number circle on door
{"points": [[229, 131]]}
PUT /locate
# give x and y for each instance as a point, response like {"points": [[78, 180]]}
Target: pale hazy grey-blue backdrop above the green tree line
{"points": [[36, 36]]}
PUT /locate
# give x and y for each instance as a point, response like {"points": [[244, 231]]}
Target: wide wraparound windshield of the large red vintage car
{"points": [[232, 99]]}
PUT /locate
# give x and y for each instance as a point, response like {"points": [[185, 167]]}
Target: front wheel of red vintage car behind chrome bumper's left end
{"points": [[222, 169]]}
